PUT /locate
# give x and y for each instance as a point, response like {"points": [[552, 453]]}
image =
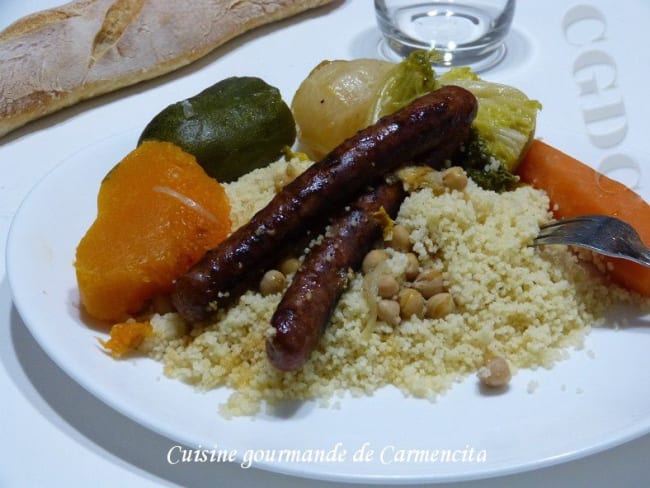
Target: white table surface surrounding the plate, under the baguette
{"points": [[54, 433]]}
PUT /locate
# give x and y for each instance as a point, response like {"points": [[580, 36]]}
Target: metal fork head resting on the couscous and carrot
{"points": [[605, 235]]}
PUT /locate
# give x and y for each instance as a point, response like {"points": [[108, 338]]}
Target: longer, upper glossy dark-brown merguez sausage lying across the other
{"points": [[423, 127]]}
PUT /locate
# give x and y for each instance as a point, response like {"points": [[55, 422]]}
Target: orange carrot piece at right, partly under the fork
{"points": [[576, 189]]}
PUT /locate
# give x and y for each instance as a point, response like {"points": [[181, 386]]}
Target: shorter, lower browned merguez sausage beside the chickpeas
{"points": [[308, 303]]}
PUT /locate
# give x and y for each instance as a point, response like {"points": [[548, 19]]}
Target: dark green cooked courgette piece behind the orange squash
{"points": [[233, 127]]}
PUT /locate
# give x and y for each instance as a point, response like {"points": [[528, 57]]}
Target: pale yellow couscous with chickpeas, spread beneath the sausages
{"points": [[464, 264]]}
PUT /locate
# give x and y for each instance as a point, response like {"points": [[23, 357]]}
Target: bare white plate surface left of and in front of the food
{"points": [[584, 404]]}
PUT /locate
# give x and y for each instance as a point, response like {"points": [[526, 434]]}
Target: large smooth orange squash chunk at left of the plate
{"points": [[158, 212]]}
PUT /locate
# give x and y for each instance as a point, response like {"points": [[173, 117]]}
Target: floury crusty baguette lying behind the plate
{"points": [[58, 57]]}
